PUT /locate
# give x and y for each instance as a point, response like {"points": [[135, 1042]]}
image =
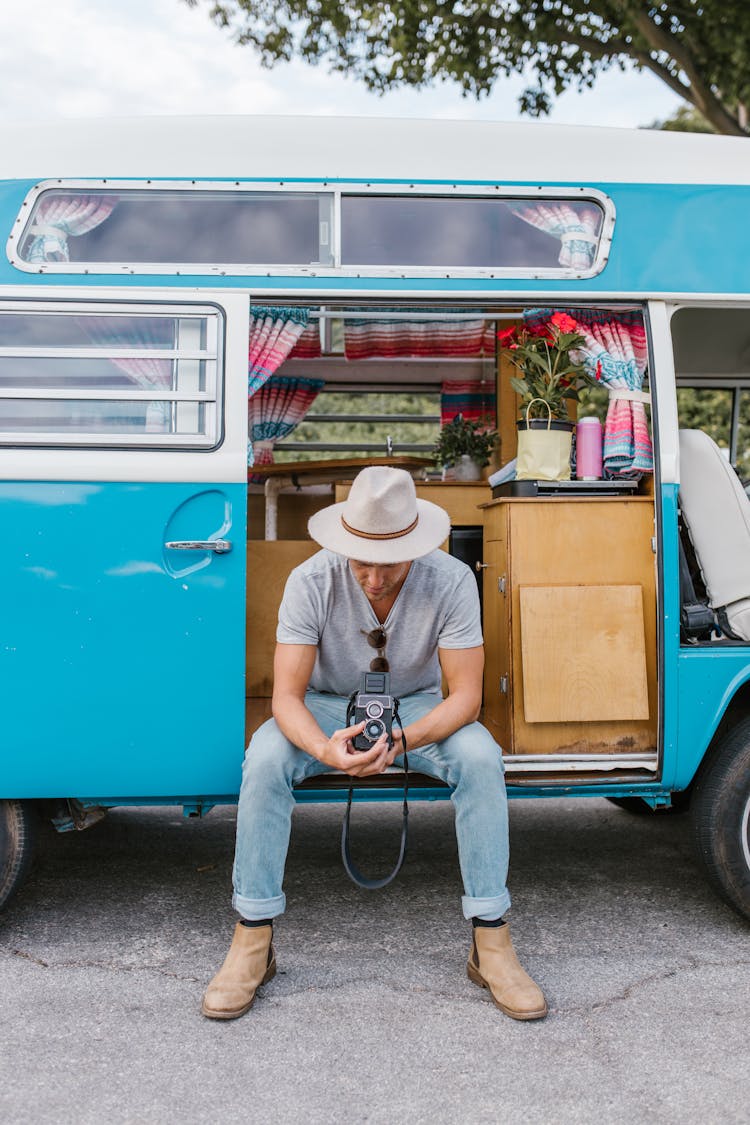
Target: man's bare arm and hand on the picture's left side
{"points": [[293, 668]]}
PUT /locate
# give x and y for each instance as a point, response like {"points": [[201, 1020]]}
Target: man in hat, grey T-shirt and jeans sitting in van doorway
{"points": [[381, 583]]}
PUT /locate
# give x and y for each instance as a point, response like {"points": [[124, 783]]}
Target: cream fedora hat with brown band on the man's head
{"points": [[382, 520]]}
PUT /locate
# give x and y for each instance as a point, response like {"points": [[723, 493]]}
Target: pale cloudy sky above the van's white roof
{"points": [[68, 59]]}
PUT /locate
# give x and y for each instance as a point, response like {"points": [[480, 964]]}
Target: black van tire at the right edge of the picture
{"points": [[721, 817]]}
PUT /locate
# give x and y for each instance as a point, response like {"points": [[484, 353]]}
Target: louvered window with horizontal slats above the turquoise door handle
{"points": [[125, 376]]}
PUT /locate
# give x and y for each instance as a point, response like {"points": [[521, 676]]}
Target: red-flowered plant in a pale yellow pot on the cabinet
{"points": [[552, 377]]}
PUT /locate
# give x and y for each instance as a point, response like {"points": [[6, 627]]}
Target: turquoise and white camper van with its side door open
{"points": [[207, 326]]}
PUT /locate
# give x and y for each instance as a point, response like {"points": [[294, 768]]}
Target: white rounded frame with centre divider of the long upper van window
{"points": [[337, 191]]}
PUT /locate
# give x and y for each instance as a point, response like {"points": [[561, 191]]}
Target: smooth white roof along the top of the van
{"points": [[366, 148]]}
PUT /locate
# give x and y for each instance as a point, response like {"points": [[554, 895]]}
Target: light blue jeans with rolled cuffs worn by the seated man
{"points": [[471, 761]]}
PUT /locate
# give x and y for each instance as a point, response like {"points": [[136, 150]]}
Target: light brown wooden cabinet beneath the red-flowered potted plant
{"points": [[571, 626]]}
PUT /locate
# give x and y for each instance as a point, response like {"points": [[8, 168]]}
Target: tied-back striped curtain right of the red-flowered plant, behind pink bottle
{"points": [[617, 355]]}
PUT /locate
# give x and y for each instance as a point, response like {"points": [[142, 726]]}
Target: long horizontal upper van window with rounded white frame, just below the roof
{"points": [[104, 227]]}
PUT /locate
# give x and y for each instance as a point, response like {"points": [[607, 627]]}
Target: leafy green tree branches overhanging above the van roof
{"points": [[701, 49]]}
